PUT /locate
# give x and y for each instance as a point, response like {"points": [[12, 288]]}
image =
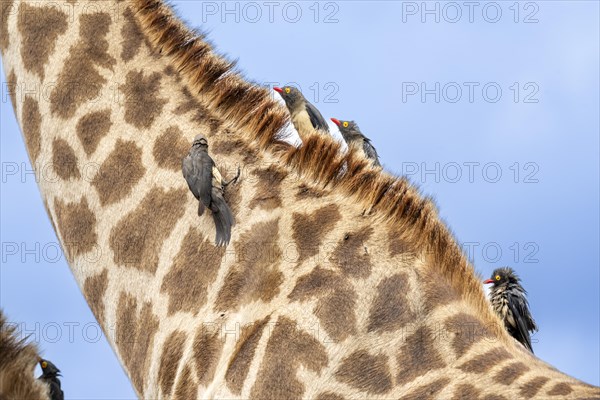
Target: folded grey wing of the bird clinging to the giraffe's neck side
{"points": [[197, 171]]}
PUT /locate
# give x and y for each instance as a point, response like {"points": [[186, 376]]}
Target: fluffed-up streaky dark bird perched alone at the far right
{"points": [[508, 300]]}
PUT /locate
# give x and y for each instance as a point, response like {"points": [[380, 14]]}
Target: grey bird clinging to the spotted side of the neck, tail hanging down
{"points": [[207, 185]]}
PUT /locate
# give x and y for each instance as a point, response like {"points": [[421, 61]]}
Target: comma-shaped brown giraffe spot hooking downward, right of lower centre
{"points": [[336, 304]]}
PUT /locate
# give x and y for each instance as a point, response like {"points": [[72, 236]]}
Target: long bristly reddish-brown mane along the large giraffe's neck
{"points": [[396, 203]]}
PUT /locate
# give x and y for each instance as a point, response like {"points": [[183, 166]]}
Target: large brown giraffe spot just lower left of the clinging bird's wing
{"points": [[137, 239]]}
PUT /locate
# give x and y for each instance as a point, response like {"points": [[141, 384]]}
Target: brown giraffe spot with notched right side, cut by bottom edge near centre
{"points": [[287, 350]]}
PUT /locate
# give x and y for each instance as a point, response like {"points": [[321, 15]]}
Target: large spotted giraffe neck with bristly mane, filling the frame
{"points": [[312, 299]]}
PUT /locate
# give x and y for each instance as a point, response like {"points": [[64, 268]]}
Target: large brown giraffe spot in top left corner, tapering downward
{"points": [[39, 28]]}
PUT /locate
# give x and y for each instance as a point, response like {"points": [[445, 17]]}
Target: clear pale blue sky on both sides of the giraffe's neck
{"points": [[496, 119]]}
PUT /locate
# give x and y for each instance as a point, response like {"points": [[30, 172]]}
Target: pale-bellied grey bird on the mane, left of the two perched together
{"points": [[304, 115]]}
